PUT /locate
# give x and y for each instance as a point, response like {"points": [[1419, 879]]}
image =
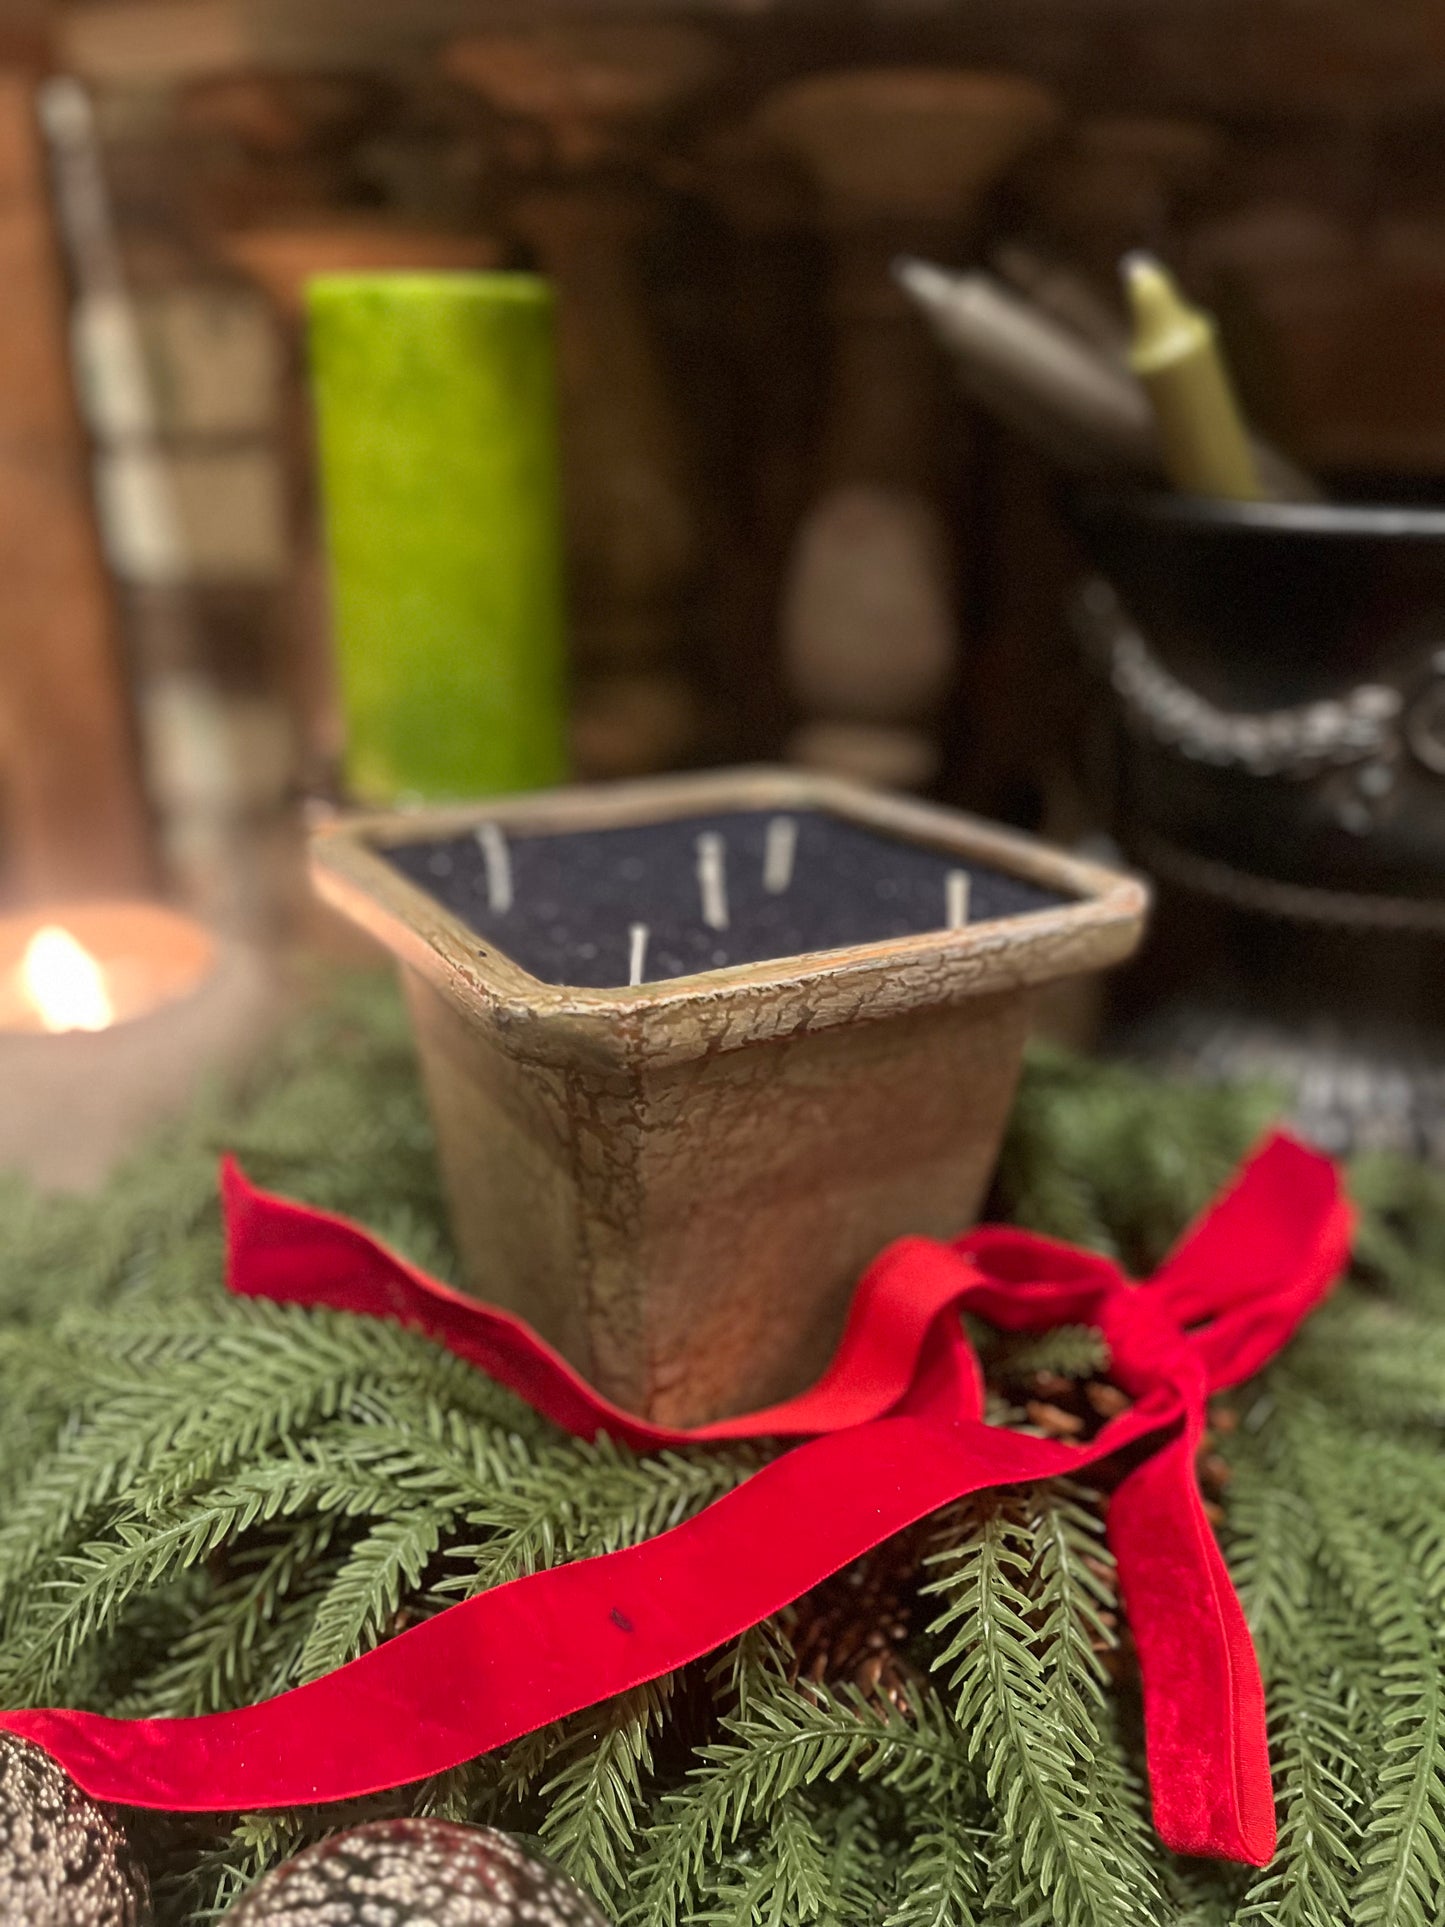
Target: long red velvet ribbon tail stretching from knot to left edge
{"points": [[508, 1662]]}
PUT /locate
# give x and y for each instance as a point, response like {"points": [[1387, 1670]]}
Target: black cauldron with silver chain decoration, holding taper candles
{"points": [[1276, 679]]}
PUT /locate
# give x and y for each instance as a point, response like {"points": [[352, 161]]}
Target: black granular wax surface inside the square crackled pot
{"points": [[569, 907]]}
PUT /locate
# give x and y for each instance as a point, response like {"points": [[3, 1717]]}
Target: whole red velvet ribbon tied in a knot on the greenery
{"points": [[893, 1431]]}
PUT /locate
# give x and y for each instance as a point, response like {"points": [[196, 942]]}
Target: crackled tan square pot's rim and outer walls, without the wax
{"points": [[681, 1182]]}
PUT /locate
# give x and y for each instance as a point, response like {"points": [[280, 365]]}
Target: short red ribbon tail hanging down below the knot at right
{"points": [[1209, 1755]]}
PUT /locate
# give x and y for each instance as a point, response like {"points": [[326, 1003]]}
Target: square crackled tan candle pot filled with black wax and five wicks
{"points": [[700, 1047]]}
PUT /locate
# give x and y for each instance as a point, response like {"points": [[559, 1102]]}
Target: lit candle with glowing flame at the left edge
{"points": [[109, 1016]]}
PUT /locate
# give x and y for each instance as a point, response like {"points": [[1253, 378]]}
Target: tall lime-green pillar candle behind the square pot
{"points": [[440, 479]]}
